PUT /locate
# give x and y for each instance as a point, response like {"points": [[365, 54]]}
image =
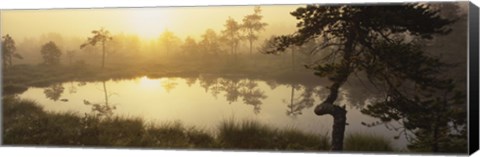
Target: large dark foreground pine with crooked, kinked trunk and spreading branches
{"points": [[368, 39]]}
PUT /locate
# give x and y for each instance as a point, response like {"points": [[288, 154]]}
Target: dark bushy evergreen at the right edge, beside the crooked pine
{"points": [[434, 120]]}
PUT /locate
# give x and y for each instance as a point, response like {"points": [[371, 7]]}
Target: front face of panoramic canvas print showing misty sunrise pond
{"points": [[380, 77]]}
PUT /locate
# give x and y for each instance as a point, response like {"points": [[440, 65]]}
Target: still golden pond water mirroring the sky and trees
{"points": [[204, 102]]}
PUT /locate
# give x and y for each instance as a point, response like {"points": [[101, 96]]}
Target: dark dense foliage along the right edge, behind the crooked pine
{"points": [[432, 111]]}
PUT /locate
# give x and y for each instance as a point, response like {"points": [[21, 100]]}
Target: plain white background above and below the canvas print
{"points": [[78, 152]]}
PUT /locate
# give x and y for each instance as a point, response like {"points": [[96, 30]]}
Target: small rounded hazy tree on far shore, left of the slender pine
{"points": [[51, 54]]}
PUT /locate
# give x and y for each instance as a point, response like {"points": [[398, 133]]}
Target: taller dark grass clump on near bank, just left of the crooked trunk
{"points": [[250, 134]]}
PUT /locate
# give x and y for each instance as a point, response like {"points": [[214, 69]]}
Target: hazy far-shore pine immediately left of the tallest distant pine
{"points": [[231, 35]]}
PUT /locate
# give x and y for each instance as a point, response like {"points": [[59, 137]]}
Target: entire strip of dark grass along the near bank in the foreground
{"points": [[26, 123]]}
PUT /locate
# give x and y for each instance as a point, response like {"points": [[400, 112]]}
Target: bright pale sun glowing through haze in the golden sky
{"points": [[147, 23]]}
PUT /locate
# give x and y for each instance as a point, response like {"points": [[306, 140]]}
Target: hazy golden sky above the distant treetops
{"points": [[148, 23]]}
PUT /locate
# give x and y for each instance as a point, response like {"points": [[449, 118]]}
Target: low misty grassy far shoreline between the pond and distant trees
{"points": [[19, 78]]}
